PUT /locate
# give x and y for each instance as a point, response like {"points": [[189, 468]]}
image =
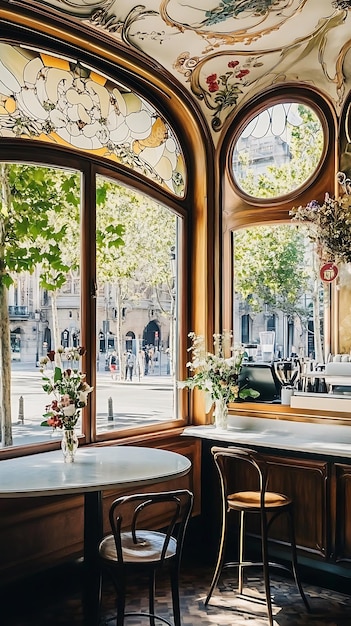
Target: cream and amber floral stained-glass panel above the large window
{"points": [[63, 101]]}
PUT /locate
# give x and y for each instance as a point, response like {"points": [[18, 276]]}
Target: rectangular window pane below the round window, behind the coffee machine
{"points": [[279, 297]]}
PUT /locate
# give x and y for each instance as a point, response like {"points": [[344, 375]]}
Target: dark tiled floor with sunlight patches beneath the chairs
{"points": [[54, 599]]}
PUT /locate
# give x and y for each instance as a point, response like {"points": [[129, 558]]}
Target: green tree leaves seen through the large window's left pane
{"points": [[34, 221]]}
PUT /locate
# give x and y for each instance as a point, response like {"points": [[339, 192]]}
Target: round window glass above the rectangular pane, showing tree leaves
{"points": [[278, 150]]}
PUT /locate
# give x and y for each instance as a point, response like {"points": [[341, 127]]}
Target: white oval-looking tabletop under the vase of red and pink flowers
{"points": [[94, 469]]}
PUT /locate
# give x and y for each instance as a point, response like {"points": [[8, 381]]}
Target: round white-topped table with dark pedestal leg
{"points": [[94, 470]]}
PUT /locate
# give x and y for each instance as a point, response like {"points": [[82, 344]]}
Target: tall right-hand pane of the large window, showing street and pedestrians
{"points": [[136, 309]]}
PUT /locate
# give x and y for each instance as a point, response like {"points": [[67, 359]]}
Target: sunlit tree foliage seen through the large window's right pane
{"points": [[134, 237]]}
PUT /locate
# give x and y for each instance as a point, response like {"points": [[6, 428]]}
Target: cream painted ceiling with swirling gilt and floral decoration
{"points": [[225, 51]]}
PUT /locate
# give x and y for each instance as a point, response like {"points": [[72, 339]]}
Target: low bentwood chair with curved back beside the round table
{"points": [[133, 548]]}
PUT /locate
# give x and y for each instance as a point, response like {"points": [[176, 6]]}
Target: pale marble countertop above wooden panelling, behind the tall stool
{"points": [[321, 439]]}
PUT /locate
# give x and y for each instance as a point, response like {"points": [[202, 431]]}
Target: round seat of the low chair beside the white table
{"points": [[148, 549]]}
